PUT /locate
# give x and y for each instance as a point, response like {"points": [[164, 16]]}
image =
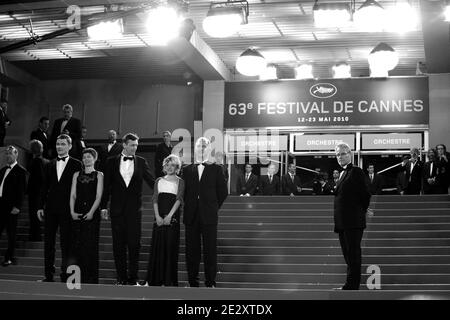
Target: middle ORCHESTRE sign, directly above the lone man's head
{"points": [[322, 142]]}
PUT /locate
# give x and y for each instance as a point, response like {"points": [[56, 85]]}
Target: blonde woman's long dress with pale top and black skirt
{"points": [[163, 261]]}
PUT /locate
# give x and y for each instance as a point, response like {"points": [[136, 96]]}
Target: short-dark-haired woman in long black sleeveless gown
{"points": [[87, 189]]}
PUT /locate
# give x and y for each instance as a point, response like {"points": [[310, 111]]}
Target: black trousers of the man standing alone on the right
{"points": [[350, 240]]}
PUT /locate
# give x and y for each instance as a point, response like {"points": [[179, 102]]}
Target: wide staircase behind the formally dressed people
{"points": [[288, 243]]}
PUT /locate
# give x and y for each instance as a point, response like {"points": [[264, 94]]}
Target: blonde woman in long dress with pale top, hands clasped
{"points": [[167, 203]]}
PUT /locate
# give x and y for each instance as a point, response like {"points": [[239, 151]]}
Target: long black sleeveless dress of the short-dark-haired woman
{"points": [[85, 234]]}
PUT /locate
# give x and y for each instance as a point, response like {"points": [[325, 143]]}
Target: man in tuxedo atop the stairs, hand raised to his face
{"points": [[413, 173]]}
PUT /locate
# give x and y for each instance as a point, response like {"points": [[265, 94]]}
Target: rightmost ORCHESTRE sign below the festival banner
{"points": [[395, 141]]}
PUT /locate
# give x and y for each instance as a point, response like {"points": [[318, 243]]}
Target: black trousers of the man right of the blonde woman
{"points": [[196, 234]]}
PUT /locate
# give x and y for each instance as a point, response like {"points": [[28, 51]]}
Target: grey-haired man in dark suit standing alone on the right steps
{"points": [[351, 205]]}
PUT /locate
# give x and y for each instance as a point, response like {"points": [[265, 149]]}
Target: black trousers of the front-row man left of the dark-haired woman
{"points": [[53, 222]]}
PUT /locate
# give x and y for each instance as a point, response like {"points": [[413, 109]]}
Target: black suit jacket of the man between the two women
{"points": [[125, 200]]}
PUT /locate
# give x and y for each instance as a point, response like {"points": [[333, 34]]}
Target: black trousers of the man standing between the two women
{"points": [[126, 233]]}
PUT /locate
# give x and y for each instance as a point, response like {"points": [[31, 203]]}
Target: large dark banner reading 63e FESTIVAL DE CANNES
{"points": [[330, 102]]}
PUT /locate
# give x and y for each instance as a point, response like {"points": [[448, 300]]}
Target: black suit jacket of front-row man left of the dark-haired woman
{"points": [[55, 195]]}
